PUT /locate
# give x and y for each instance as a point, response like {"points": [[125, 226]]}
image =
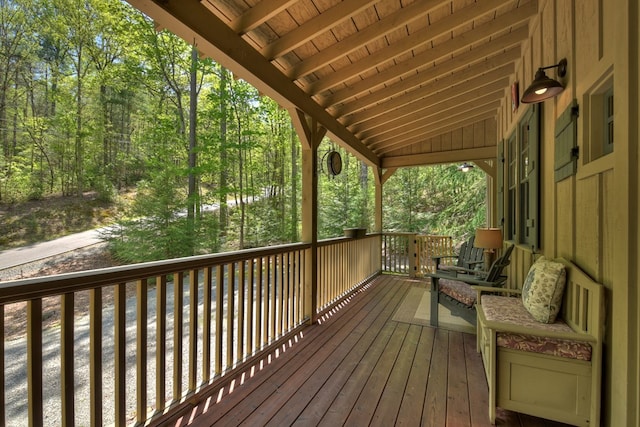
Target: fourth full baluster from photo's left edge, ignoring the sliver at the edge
{"points": [[120, 369]]}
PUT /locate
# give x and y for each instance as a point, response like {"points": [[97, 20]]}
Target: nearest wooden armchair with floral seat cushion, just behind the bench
{"points": [[455, 292]]}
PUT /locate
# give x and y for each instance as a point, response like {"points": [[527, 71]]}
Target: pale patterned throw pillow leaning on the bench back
{"points": [[543, 288]]}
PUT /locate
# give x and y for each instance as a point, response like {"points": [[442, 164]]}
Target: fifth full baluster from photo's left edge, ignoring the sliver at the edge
{"points": [[141, 347]]}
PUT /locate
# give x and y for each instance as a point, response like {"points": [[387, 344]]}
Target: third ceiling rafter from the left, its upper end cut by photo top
{"points": [[414, 11]]}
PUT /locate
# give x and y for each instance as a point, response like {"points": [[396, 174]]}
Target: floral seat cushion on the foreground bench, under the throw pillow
{"points": [[510, 310]]}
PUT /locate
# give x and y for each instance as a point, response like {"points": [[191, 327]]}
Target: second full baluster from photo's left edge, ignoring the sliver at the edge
{"points": [[67, 359]]}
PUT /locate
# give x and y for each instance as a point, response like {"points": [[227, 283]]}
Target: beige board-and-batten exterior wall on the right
{"points": [[592, 217]]}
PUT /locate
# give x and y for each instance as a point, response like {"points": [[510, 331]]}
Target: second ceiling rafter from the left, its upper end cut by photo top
{"points": [[315, 26]]}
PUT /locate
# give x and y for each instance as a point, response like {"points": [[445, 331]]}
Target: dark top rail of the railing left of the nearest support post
{"points": [[40, 287]]}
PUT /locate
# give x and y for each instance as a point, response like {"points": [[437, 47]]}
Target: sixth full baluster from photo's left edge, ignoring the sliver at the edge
{"points": [[161, 342]]}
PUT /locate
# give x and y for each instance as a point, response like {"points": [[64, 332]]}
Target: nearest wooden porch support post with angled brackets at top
{"points": [[310, 133]]}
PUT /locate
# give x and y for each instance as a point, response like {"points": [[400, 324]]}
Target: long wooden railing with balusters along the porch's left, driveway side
{"points": [[129, 344]]}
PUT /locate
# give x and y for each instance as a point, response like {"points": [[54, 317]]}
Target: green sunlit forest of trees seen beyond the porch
{"points": [[94, 98]]}
